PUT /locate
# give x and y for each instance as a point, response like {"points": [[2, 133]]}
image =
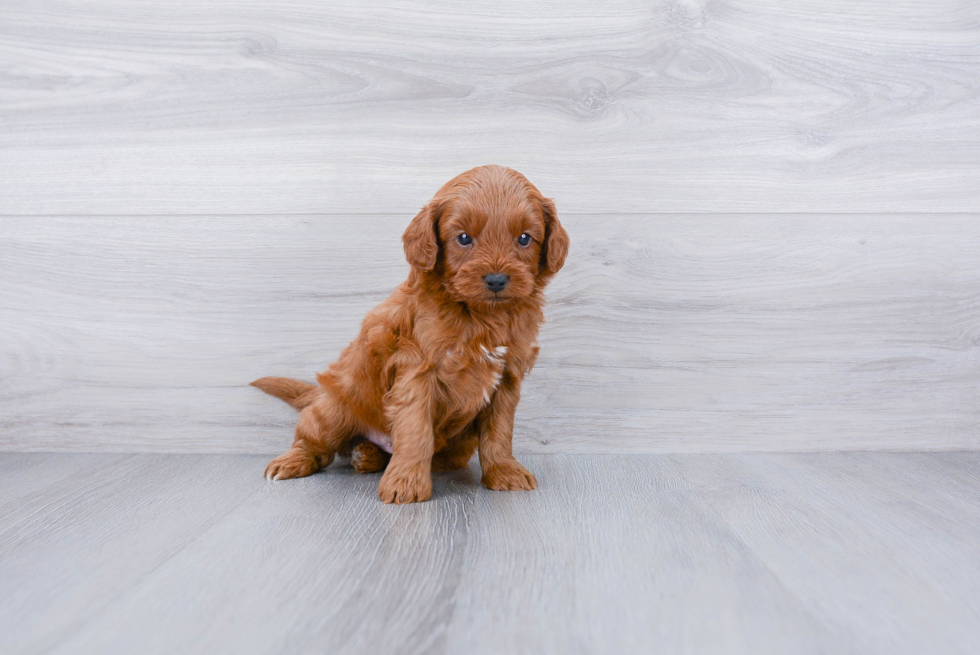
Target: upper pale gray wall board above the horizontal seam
{"points": [[300, 106]]}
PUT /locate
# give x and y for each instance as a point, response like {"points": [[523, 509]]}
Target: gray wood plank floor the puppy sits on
{"points": [[750, 553]]}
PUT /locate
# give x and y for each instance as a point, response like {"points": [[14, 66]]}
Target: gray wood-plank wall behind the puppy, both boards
{"points": [[774, 209]]}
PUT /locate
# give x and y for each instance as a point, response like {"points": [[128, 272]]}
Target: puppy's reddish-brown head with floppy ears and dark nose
{"points": [[490, 236]]}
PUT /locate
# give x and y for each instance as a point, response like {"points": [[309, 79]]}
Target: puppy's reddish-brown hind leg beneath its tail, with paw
{"points": [[324, 428]]}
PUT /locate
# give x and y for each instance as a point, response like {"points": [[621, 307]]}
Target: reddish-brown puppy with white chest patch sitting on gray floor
{"points": [[436, 370]]}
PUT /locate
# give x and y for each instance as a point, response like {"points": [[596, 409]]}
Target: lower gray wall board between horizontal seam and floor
{"points": [[666, 333]]}
